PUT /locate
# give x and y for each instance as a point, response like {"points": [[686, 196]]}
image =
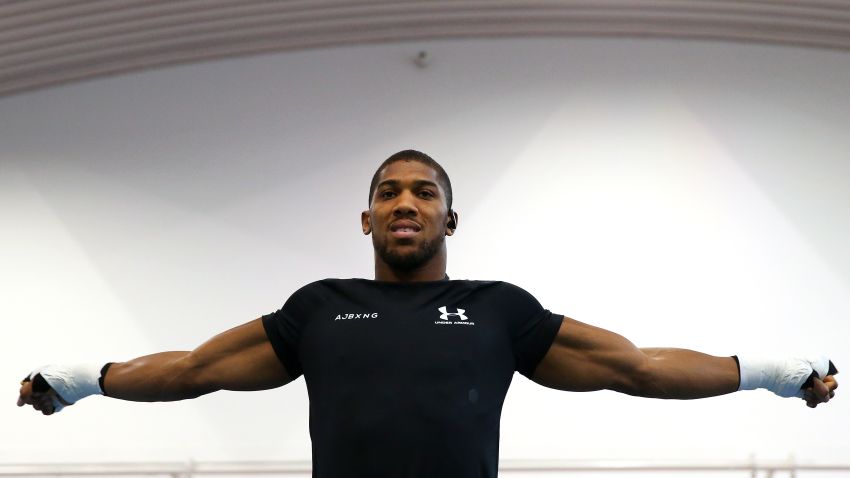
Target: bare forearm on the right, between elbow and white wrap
{"points": [[684, 374]]}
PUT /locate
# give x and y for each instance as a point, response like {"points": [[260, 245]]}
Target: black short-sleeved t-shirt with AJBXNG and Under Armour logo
{"points": [[408, 379]]}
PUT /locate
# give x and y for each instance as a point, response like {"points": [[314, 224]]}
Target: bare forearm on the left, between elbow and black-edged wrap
{"points": [[161, 377]]}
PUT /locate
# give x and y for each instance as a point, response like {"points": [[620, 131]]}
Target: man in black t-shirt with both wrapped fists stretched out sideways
{"points": [[407, 373]]}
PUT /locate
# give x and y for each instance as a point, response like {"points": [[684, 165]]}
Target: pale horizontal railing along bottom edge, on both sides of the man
{"points": [[192, 469]]}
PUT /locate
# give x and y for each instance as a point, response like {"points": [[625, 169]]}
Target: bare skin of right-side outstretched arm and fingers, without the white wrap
{"points": [[585, 358]]}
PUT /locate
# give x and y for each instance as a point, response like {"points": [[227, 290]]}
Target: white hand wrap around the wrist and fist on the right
{"points": [[782, 376]]}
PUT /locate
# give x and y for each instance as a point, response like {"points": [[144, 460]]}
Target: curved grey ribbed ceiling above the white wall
{"points": [[47, 42]]}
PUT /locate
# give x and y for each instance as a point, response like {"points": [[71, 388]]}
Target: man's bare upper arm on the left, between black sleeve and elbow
{"points": [[241, 358]]}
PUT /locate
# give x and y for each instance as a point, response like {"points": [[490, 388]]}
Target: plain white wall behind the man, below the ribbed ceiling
{"points": [[682, 194]]}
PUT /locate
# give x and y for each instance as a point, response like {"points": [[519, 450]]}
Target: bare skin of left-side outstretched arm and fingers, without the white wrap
{"points": [[241, 358]]}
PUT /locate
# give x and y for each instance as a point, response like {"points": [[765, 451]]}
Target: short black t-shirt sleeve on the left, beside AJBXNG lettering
{"points": [[284, 329]]}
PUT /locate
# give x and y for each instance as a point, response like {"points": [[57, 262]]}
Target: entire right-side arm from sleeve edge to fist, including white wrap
{"points": [[584, 358]]}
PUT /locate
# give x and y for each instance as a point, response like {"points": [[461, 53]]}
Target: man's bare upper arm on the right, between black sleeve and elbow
{"points": [[585, 358]]}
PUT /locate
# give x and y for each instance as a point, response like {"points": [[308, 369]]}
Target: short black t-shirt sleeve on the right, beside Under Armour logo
{"points": [[533, 328]]}
